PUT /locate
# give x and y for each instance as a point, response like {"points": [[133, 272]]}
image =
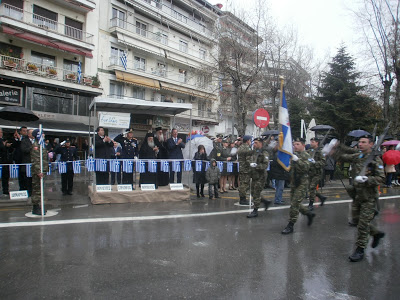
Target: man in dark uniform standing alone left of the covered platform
{"points": [[68, 154]]}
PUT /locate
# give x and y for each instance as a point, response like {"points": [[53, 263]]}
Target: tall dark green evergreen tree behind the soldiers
{"points": [[341, 104]]}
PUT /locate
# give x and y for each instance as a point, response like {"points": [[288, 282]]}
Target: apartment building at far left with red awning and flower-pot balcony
{"points": [[47, 51]]}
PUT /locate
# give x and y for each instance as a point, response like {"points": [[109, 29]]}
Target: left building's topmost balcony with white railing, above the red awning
{"points": [[37, 21]]}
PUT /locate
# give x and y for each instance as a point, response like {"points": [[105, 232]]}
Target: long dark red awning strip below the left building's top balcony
{"points": [[37, 39]]}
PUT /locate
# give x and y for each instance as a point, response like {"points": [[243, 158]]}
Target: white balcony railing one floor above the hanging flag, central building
{"points": [[159, 37]]}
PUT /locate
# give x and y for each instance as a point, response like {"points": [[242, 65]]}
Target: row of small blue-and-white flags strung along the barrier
{"points": [[101, 165]]}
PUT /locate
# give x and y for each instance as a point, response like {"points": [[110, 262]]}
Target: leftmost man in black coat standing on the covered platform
{"points": [[103, 147]]}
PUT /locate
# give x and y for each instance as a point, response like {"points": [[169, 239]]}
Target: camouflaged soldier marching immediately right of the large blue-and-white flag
{"points": [[301, 161]]}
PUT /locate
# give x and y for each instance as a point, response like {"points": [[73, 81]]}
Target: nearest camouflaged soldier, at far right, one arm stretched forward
{"points": [[365, 190]]}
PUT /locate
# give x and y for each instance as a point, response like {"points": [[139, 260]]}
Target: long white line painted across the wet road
{"points": [[164, 217]]}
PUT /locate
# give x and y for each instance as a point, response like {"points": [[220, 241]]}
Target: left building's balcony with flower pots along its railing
{"points": [[45, 71]]}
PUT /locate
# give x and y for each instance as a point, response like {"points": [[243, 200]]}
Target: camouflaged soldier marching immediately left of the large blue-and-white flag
{"points": [[258, 165]]}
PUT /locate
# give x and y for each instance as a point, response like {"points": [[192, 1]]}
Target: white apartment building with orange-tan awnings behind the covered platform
{"points": [[156, 51]]}
